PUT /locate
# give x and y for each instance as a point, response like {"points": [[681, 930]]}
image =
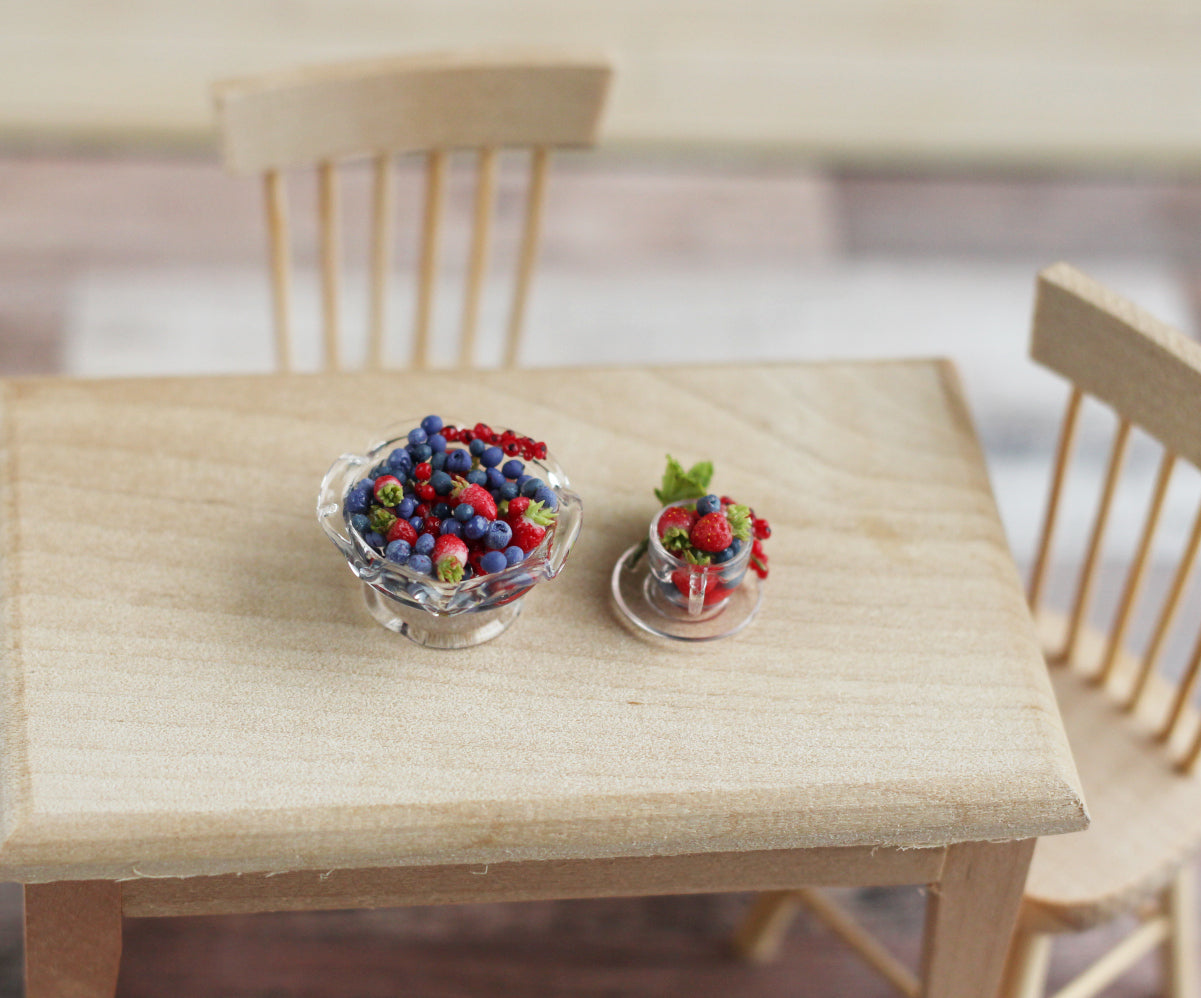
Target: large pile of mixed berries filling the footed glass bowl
{"points": [[450, 512]]}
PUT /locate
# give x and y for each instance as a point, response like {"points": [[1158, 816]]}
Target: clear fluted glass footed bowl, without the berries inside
{"points": [[429, 612]]}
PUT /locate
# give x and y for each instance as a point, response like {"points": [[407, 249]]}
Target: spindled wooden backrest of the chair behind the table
{"points": [[384, 109]]}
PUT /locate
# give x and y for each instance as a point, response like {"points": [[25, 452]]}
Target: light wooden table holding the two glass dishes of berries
{"points": [[200, 716]]}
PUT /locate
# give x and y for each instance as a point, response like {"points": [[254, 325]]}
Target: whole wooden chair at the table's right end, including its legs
{"points": [[1134, 733]]}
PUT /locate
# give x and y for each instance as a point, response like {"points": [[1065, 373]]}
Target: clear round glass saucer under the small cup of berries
{"points": [[634, 593]]}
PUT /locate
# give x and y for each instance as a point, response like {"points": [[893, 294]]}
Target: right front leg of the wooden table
{"points": [[971, 918]]}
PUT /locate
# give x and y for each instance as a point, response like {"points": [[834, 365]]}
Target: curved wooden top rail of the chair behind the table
{"points": [[411, 105]]}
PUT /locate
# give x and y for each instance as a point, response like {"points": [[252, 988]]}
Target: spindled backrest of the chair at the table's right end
{"points": [[1150, 374]]}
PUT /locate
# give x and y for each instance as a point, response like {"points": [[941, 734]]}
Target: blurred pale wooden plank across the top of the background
{"points": [[995, 81]]}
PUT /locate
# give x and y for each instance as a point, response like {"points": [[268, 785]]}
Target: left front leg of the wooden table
{"points": [[73, 940]]}
